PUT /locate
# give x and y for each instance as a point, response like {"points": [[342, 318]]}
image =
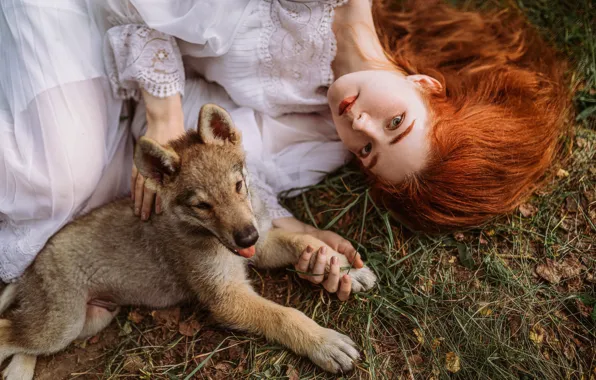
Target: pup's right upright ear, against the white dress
{"points": [[216, 125]]}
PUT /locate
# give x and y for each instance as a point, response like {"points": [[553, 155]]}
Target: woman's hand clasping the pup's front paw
{"points": [[315, 271]]}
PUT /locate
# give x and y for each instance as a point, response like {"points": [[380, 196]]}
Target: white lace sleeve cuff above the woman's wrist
{"points": [[140, 57]]}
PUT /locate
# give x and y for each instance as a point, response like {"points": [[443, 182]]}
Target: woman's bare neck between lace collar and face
{"points": [[358, 46]]}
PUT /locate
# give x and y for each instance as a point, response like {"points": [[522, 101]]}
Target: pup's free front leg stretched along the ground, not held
{"points": [[240, 307]]}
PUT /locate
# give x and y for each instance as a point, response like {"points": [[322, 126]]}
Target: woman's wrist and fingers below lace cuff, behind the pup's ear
{"points": [[165, 122]]}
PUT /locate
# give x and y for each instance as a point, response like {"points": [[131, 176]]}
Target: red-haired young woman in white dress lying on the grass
{"points": [[455, 115]]}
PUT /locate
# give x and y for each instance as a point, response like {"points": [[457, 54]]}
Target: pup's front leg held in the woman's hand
{"points": [[281, 248]]}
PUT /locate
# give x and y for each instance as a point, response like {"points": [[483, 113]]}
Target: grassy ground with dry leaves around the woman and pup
{"points": [[514, 299]]}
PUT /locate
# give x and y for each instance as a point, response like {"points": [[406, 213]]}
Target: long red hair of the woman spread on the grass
{"points": [[496, 125]]}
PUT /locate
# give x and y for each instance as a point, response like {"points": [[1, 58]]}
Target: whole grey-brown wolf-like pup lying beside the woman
{"points": [[185, 253]]}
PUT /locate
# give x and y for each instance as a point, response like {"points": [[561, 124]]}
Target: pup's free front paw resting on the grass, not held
{"points": [[335, 352]]}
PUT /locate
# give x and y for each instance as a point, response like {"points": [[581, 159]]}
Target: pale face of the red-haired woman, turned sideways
{"points": [[381, 117]]}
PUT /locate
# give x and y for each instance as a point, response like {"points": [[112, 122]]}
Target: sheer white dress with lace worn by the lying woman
{"points": [[67, 65]]}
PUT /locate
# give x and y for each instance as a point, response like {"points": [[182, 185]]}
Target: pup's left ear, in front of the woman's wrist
{"points": [[155, 161]]}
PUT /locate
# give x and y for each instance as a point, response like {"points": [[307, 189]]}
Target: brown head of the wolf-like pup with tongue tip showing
{"points": [[201, 179]]}
